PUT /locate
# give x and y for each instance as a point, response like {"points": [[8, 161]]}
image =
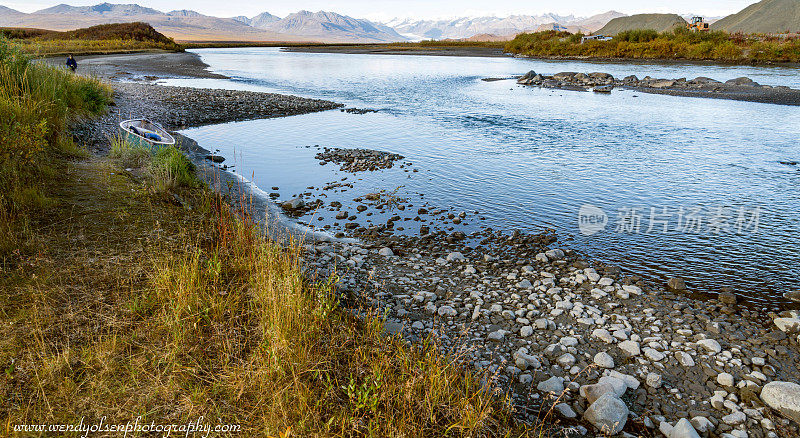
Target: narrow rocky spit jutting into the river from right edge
{"points": [[744, 89]]}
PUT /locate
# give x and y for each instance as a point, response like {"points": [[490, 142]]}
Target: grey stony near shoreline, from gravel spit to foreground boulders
{"points": [[602, 348]]}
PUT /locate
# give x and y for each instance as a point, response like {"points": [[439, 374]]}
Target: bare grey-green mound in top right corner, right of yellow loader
{"points": [[767, 16]]}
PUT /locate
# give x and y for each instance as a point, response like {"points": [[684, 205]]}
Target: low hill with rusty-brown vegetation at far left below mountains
{"points": [[104, 38]]}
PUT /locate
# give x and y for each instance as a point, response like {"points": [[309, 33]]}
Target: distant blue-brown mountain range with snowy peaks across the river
{"points": [[187, 25]]}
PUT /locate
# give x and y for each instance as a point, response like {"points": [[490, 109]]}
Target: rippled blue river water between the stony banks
{"points": [[529, 158]]}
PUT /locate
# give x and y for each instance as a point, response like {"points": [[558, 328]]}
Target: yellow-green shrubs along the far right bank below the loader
{"points": [[673, 45]]}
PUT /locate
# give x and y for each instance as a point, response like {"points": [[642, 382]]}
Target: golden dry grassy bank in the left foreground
{"points": [[142, 293]]}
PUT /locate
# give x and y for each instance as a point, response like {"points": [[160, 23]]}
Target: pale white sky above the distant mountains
{"points": [[421, 9]]}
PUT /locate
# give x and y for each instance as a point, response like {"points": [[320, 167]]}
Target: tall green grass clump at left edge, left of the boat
{"points": [[36, 103]]}
